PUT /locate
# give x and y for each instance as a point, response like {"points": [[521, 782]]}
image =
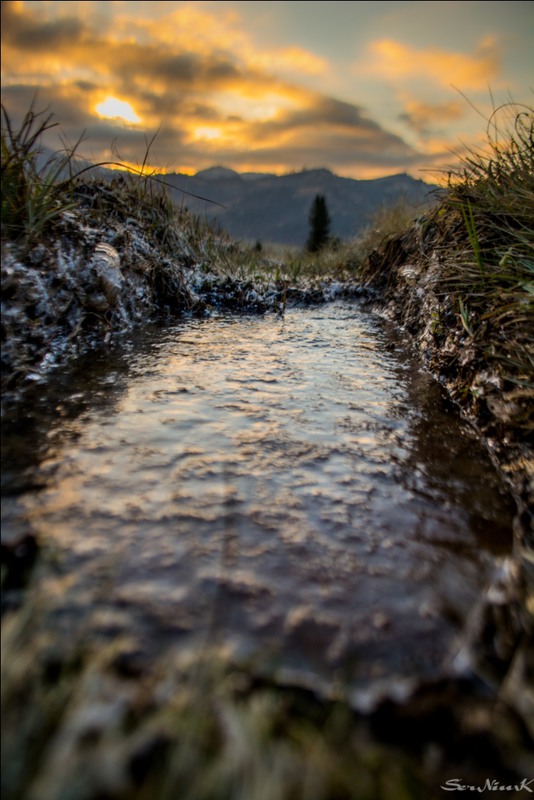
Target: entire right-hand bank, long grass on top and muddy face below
{"points": [[460, 279]]}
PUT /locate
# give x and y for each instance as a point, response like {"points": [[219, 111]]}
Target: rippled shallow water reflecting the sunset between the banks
{"points": [[297, 491]]}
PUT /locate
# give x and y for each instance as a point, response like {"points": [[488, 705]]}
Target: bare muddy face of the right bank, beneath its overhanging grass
{"points": [[408, 275]]}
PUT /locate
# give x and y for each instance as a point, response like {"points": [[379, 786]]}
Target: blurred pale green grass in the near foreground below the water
{"points": [[201, 729]]}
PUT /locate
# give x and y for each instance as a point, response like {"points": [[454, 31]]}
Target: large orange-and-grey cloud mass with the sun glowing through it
{"points": [[197, 75]]}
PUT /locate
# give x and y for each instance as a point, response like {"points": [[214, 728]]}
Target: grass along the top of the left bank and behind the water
{"points": [[36, 191]]}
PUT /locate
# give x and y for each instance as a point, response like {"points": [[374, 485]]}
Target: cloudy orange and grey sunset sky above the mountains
{"points": [[365, 89]]}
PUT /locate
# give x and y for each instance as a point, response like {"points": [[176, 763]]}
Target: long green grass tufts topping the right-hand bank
{"points": [[478, 241]]}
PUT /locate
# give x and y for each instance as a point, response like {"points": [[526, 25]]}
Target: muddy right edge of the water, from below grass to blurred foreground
{"points": [[408, 274]]}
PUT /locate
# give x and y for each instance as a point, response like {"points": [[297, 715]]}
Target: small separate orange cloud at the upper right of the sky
{"points": [[395, 61]]}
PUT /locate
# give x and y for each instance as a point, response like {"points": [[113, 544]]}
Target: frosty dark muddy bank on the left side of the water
{"points": [[110, 264]]}
